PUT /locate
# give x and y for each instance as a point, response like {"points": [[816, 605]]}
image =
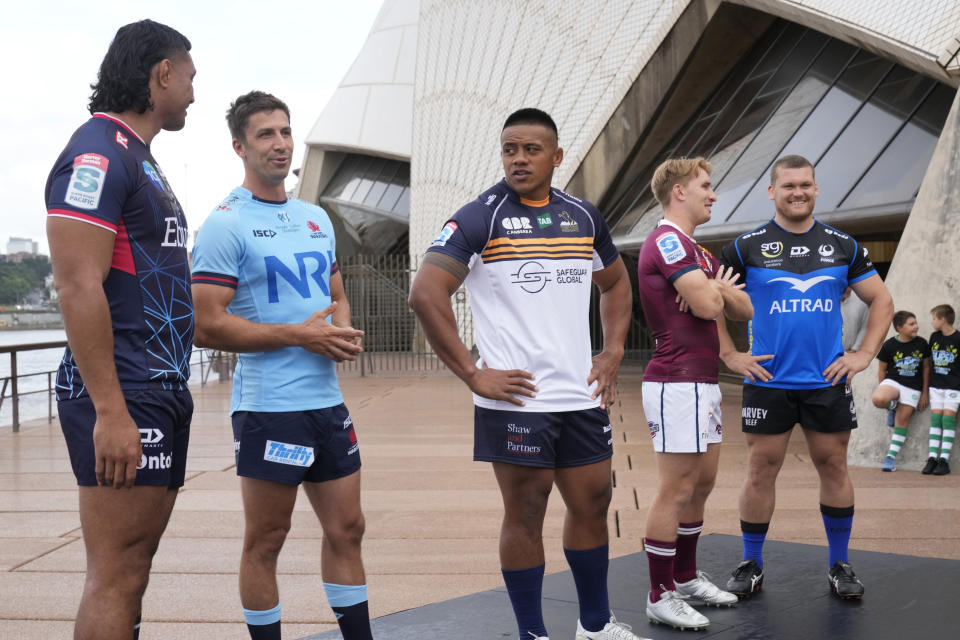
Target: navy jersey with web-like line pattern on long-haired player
{"points": [[107, 177]]}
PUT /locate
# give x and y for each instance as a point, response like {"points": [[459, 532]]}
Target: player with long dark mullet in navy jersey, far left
{"points": [[117, 243]]}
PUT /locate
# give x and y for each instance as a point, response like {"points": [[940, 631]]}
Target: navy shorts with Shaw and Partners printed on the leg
{"points": [[550, 440]]}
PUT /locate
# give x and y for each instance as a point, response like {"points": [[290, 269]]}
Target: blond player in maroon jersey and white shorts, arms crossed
{"points": [[682, 291]]}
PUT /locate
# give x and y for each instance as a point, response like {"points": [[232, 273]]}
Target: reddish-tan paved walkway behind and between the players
{"points": [[433, 515]]}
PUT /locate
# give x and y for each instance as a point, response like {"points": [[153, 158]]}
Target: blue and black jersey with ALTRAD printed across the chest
{"points": [[795, 281]]}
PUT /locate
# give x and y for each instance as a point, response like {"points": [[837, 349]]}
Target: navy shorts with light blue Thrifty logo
{"points": [[291, 447]]}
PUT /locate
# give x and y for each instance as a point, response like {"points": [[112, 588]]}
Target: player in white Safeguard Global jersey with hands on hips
{"points": [[529, 255]]}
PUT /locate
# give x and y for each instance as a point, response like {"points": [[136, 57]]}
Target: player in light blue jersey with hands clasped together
{"points": [[266, 284]]}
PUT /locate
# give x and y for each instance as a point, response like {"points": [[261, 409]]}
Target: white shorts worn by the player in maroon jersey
{"points": [[684, 417]]}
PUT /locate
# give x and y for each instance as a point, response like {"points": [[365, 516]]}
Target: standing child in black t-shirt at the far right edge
{"points": [[944, 388]]}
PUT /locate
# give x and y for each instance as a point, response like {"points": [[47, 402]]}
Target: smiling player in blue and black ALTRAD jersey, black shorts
{"points": [[796, 270]]}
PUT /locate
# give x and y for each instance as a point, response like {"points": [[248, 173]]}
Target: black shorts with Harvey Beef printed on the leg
{"points": [[767, 410]]}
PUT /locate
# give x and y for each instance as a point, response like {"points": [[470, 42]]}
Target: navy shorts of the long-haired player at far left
{"points": [[163, 418]]}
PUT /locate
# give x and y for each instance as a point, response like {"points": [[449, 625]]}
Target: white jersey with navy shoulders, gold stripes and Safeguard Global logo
{"points": [[531, 267]]}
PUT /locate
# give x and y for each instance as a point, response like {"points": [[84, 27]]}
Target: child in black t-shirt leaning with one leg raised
{"points": [[904, 374]]}
